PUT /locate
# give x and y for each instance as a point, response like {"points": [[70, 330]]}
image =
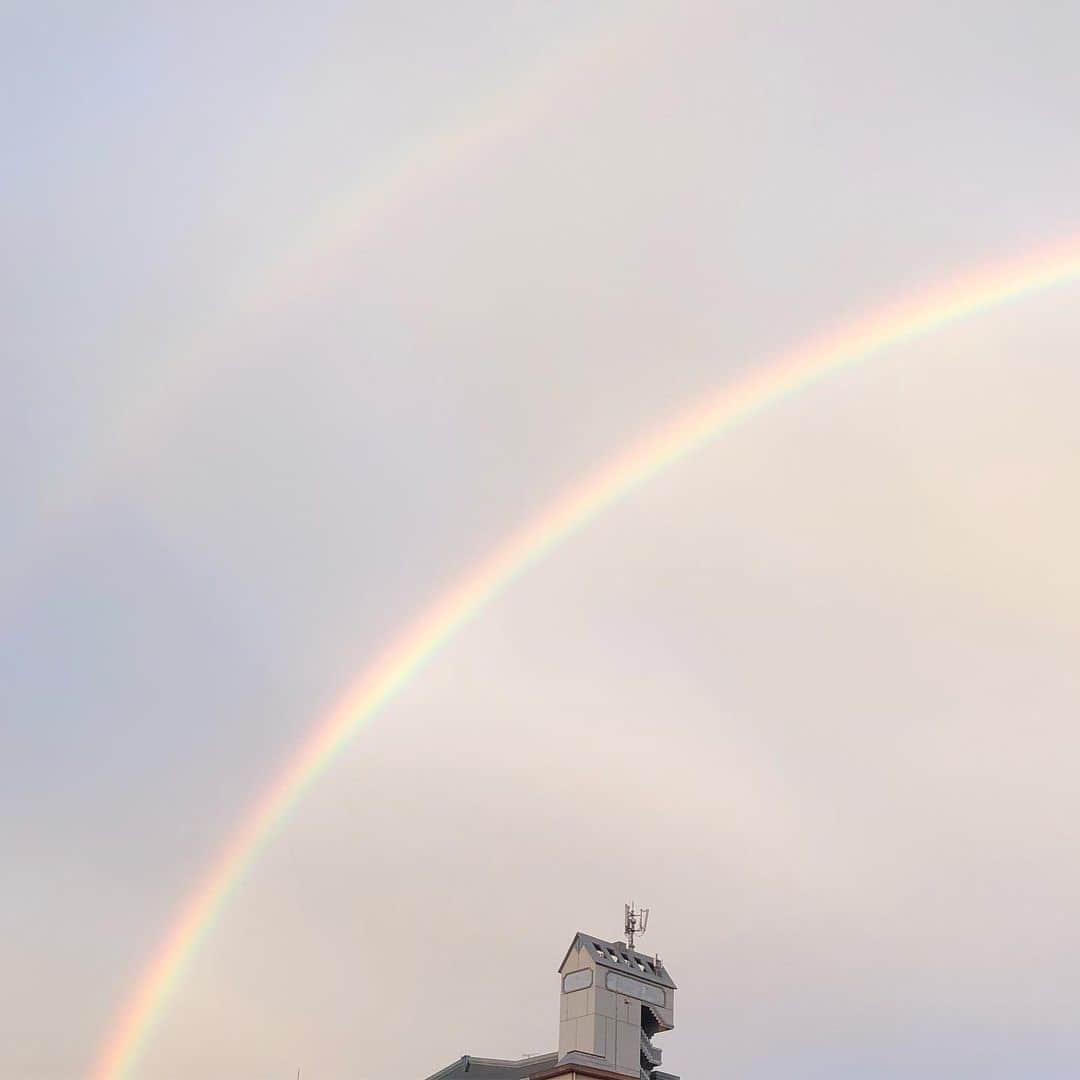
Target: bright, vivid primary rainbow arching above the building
{"points": [[765, 386]]}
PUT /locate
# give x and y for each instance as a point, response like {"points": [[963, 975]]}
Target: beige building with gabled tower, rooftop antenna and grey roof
{"points": [[613, 1002]]}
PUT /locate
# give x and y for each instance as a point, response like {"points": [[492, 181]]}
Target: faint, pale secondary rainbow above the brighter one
{"points": [[312, 258]]}
